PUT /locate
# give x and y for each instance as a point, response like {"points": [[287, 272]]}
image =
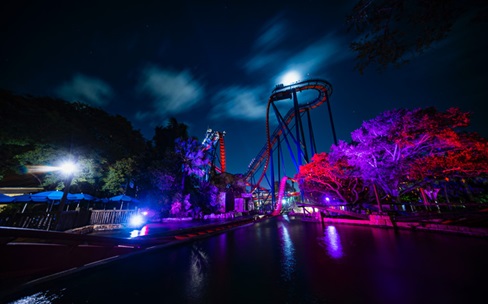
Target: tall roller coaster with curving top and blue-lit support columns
{"points": [[291, 131]]}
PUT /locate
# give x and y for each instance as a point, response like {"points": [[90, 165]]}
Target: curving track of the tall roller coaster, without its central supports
{"points": [[281, 92]]}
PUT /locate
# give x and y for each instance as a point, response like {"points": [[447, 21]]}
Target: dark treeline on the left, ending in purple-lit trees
{"points": [[113, 157]]}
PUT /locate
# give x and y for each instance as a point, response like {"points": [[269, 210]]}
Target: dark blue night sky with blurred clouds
{"points": [[214, 65]]}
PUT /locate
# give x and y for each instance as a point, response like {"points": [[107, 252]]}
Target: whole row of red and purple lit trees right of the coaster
{"points": [[401, 151]]}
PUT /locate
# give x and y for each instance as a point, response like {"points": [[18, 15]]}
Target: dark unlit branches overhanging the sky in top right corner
{"points": [[392, 32]]}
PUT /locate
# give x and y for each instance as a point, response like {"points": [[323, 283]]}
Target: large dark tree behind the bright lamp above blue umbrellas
{"points": [[46, 130]]}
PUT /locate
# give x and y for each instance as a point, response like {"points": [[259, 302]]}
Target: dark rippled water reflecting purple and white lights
{"points": [[285, 260]]}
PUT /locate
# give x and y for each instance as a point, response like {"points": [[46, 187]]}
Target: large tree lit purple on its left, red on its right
{"points": [[400, 148]]}
